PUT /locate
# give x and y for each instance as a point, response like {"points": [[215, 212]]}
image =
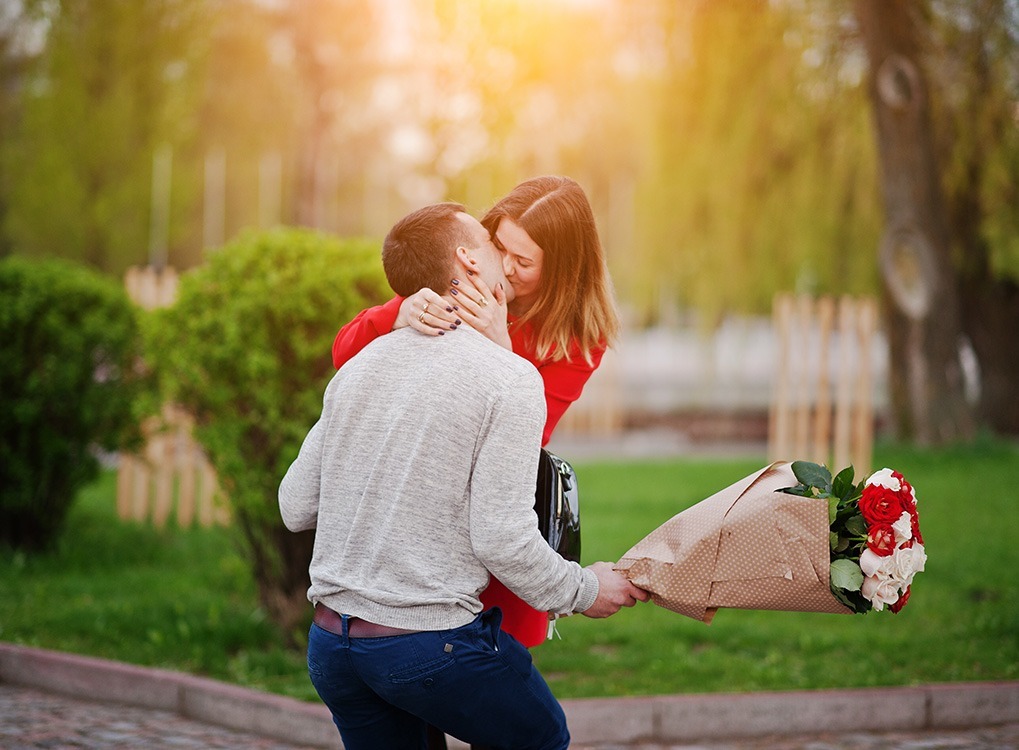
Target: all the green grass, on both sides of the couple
{"points": [[184, 600]]}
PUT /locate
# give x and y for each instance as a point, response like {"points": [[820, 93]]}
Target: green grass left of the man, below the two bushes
{"points": [[180, 600]]}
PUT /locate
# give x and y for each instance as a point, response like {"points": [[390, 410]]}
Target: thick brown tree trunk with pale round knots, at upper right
{"points": [[922, 303]]}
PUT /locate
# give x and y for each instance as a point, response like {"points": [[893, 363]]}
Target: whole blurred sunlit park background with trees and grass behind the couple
{"points": [[811, 211]]}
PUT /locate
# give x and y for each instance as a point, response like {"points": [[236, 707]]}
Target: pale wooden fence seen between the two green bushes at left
{"points": [[172, 471]]}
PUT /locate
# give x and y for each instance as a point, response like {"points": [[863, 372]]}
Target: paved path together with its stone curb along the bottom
{"points": [[58, 701]]}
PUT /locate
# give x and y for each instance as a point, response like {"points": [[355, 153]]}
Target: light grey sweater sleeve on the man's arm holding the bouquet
{"points": [[504, 529]]}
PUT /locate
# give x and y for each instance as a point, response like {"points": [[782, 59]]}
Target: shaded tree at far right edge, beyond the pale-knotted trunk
{"points": [[974, 59]]}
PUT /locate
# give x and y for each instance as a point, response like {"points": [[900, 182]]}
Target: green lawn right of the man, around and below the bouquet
{"points": [[962, 623]]}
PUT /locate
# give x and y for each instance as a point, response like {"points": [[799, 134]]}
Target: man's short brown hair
{"points": [[419, 250]]}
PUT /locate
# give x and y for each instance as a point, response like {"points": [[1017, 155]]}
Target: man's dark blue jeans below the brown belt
{"points": [[474, 683]]}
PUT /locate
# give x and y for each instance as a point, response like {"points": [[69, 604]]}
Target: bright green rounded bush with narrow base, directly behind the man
{"points": [[247, 351]]}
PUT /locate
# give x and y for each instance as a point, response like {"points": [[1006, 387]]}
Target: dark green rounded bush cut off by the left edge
{"points": [[70, 344]]}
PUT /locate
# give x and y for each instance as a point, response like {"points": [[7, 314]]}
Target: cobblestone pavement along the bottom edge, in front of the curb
{"points": [[31, 719]]}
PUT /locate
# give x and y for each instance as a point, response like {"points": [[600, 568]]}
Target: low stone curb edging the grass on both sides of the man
{"points": [[660, 720]]}
